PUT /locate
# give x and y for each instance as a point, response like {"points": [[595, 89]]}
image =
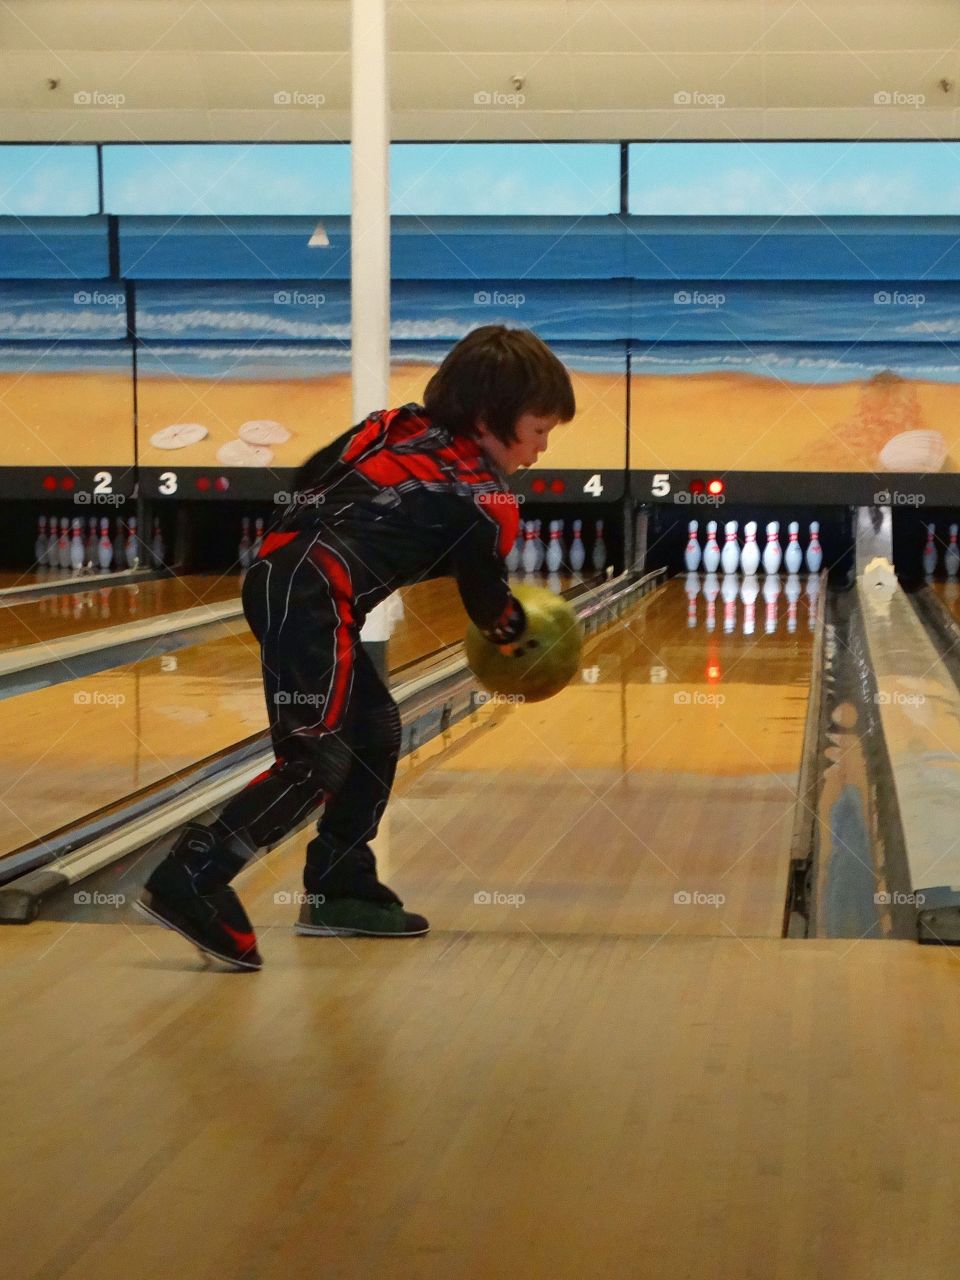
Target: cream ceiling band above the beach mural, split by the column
{"points": [[213, 70]]}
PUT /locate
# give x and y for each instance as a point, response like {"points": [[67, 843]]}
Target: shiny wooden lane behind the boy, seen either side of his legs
{"points": [[75, 748]]}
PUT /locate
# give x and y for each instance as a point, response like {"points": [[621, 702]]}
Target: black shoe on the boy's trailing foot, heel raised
{"points": [[208, 916]]}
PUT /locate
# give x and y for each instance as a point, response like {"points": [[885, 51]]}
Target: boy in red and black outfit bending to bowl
{"points": [[408, 495]]}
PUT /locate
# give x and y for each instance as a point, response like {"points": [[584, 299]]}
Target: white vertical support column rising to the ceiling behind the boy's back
{"points": [[371, 213]]}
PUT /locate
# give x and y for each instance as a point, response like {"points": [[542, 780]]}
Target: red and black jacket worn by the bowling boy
{"points": [[403, 501]]}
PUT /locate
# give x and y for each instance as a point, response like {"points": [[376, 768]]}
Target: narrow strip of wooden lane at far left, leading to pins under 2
{"points": [[72, 612]]}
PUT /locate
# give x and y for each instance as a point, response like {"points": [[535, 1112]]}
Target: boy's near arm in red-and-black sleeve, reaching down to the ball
{"points": [[481, 569]]}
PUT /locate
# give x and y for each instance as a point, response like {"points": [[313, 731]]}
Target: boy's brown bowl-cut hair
{"points": [[497, 376]]}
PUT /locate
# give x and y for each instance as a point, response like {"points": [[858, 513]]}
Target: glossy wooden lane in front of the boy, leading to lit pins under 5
{"points": [[653, 797]]}
